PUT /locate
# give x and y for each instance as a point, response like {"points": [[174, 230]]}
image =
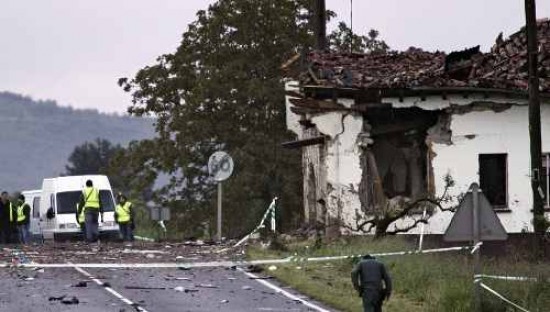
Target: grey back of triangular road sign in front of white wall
{"points": [[462, 226]]}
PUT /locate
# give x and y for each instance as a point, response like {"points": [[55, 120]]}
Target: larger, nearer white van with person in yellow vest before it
{"points": [[58, 206]]}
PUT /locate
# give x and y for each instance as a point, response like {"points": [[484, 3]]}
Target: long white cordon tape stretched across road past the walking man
{"points": [[228, 263]]}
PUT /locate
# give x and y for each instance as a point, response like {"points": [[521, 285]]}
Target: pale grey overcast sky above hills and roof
{"points": [[73, 51]]}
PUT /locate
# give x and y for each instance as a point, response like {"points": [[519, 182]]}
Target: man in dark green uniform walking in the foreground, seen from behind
{"points": [[373, 283]]}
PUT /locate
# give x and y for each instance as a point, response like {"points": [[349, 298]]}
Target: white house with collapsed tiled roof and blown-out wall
{"points": [[380, 132]]}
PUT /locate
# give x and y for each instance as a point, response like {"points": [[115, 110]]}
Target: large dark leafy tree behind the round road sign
{"points": [[223, 89]]}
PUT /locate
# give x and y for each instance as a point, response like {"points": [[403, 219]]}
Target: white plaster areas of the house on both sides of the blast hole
{"points": [[473, 133]]}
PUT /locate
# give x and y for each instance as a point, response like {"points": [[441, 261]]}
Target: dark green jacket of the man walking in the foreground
{"points": [[369, 275]]}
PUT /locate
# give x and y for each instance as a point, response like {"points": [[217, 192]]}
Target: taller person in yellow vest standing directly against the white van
{"points": [[89, 199]]}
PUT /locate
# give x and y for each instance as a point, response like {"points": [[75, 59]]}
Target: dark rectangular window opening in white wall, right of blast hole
{"points": [[493, 178]]}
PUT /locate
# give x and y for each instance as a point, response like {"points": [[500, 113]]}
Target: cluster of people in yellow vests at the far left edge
{"points": [[14, 220]]}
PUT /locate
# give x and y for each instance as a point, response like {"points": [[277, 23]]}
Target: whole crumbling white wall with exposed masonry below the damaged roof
{"points": [[342, 182]]}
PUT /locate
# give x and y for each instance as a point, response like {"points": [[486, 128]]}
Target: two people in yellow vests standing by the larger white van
{"points": [[89, 212]]}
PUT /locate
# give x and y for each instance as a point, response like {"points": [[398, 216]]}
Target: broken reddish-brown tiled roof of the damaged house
{"points": [[505, 67]]}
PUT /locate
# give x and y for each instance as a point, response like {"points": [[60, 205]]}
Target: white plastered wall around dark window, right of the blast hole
{"points": [[504, 132]]}
